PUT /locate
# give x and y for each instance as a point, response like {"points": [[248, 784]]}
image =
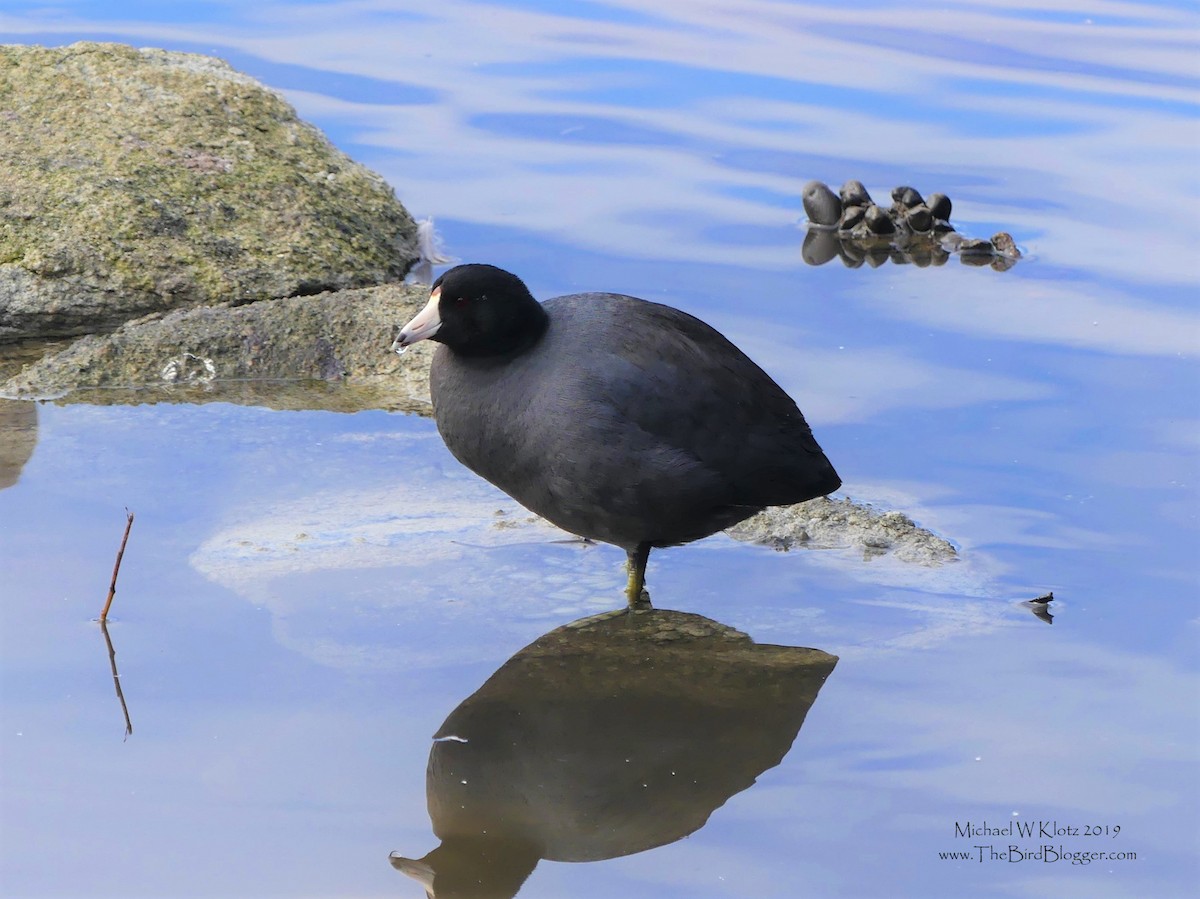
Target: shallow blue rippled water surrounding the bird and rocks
{"points": [[308, 597]]}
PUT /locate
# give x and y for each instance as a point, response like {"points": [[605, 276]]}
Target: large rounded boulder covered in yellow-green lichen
{"points": [[139, 181]]}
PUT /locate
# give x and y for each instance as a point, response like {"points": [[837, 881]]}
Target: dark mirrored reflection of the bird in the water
{"points": [[607, 738]]}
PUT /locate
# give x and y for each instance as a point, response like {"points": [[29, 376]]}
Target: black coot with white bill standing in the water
{"points": [[615, 418]]}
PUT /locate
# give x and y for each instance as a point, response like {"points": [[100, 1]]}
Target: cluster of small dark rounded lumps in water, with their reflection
{"points": [[911, 231]]}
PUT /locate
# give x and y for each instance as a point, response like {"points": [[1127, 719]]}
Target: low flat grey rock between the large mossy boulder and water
{"points": [[238, 356]]}
